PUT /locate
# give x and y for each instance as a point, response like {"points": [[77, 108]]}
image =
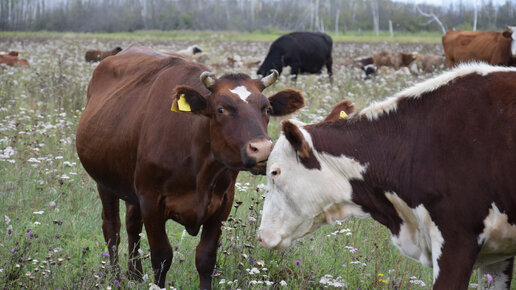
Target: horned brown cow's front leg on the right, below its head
{"points": [[206, 252]]}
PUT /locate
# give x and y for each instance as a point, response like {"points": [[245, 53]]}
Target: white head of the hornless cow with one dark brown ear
{"points": [[306, 189]]}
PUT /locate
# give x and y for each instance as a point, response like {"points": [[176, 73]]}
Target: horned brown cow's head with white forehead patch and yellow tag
{"points": [[239, 114]]}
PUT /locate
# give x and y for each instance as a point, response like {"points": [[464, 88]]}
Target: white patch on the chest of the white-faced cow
{"points": [[419, 237]]}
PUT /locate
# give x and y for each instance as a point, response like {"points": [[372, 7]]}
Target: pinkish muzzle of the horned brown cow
{"points": [[256, 153]]}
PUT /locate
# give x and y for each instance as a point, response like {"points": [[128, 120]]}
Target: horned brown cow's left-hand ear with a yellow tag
{"points": [[187, 99]]}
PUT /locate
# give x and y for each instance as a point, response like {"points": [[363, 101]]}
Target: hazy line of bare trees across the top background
{"points": [[250, 15]]}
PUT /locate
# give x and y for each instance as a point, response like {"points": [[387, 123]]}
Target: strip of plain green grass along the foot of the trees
{"points": [[352, 36]]}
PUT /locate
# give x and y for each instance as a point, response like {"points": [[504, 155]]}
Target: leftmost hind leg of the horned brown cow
{"points": [[110, 223]]}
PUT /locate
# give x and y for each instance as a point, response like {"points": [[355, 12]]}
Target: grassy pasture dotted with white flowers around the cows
{"points": [[50, 224]]}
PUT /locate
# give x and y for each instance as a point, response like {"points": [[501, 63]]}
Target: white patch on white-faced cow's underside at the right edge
{"points": [[498, 238]]}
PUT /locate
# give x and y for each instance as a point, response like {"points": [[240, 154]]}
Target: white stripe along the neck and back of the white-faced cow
{"points": [[377, 109]]}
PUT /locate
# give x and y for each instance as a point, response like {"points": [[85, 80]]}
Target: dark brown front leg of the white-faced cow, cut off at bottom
{"points": [[453, 267]]}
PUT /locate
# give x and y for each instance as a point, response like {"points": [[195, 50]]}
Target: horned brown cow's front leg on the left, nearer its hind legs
{"points": [[161, 251]]}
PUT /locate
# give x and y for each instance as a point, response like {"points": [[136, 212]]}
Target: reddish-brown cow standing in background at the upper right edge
{"points": [[492, 47]]}
